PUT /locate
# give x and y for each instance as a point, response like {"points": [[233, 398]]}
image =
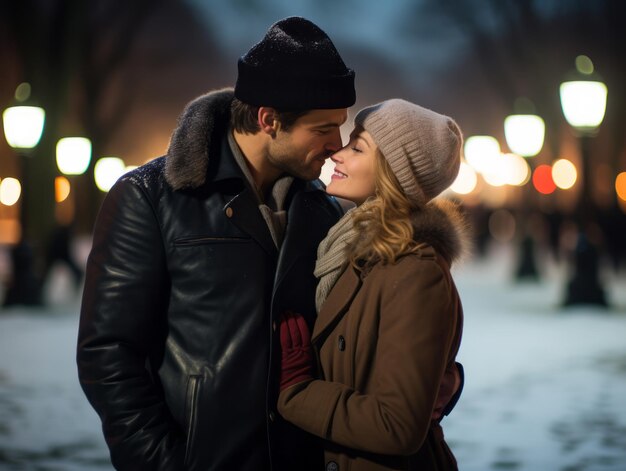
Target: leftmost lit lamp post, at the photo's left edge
{"points": [[23, 127]]}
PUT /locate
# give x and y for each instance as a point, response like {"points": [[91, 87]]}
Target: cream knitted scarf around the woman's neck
{"points": [[332, 257]]}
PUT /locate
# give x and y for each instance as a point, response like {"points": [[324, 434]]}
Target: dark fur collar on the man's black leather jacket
{"points": [[199, 131]]}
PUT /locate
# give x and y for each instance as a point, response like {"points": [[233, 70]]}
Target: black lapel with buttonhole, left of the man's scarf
{"points": [[244, 212]]}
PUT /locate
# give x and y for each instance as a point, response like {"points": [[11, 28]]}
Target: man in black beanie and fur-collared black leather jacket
{"points": [[197, 253]]}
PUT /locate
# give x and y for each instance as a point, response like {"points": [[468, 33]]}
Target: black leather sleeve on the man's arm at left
{"points": [[124, 300]]}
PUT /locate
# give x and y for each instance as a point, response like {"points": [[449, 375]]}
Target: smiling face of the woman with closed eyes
{"points": [[354, 177]]}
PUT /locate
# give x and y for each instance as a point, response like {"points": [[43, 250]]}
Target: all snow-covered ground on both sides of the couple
{"points": [[544, 388]]}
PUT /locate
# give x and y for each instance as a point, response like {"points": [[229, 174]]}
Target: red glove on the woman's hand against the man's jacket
{"points": [[297, 357]]}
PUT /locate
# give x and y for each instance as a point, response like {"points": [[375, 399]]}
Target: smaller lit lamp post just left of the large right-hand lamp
{"points": [[524, 135]]}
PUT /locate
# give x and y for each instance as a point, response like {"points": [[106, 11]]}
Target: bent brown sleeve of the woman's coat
{"points": [[417, 325]]}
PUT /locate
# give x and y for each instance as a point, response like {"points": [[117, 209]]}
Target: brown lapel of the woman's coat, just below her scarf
{"points": [[337, 302]]}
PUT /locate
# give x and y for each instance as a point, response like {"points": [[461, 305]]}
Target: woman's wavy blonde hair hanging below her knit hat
{"points": [[383, 221]]}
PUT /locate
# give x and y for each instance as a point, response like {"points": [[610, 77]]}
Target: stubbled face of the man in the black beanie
{"points": [[302, 150]]}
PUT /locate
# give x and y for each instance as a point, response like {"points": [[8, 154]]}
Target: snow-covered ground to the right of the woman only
{"points": [[545, 387]]}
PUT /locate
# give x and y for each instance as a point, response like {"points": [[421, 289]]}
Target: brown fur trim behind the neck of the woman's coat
{"points": [[443, 225]]}
